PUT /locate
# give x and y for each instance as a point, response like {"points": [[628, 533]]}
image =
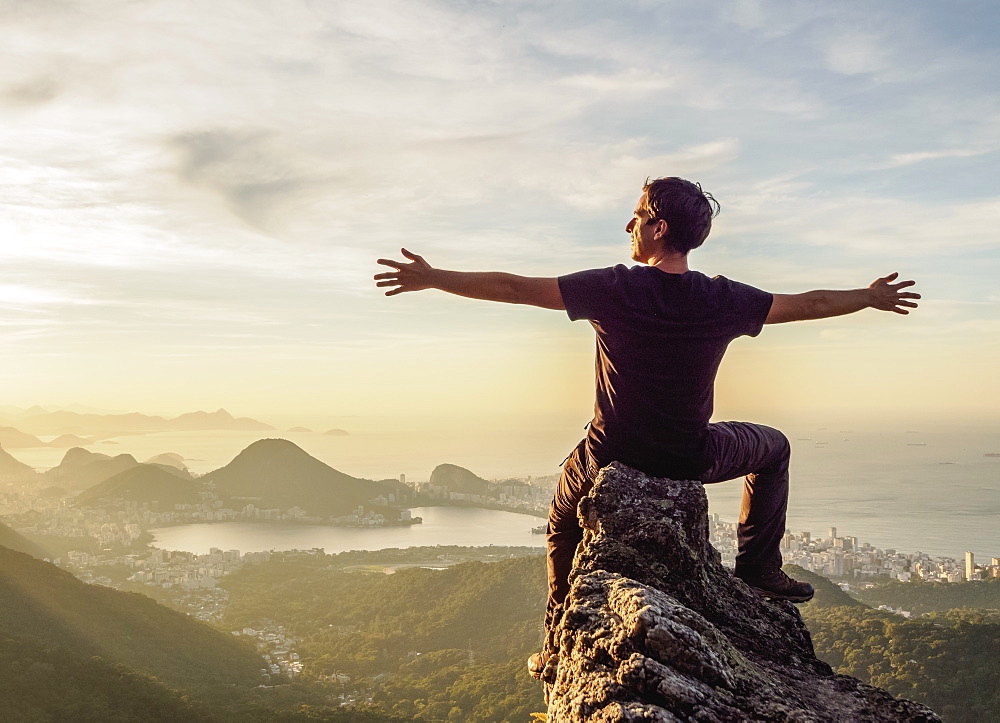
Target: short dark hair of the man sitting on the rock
{"points": [[687, 209]]}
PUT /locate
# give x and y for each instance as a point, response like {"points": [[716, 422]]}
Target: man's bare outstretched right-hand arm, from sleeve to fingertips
{"points": [[881, 294]]}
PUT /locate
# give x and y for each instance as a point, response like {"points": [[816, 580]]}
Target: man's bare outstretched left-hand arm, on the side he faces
{"points": [[487, 285]]}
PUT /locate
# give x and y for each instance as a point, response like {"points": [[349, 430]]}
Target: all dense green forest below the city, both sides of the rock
{"points": [[418, 644]]}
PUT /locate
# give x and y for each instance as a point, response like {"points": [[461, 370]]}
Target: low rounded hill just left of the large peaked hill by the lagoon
{"points": [[144, 483]]}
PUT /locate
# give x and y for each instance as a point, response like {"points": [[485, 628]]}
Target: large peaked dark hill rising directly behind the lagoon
{"points": [[275, 473]]}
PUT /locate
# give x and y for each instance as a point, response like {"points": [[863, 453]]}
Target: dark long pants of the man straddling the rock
{"points": [[737, 449]]}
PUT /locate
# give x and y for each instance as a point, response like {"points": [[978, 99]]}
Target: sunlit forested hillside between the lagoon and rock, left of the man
{"points": [[435, 640]]}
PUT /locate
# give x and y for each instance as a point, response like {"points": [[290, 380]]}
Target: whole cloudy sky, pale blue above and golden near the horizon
{"points": [[193, 196]]}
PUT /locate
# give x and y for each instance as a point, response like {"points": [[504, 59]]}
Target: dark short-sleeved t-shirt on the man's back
{"points": [[660, 339]]}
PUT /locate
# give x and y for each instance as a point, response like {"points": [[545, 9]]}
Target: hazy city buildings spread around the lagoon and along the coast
{"points": [[115, 535]]}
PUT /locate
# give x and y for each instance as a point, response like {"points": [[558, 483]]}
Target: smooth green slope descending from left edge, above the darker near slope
{"points": [[41, 601]]}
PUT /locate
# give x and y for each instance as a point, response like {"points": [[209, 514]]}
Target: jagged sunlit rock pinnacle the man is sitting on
{"points": [[656, 629]]}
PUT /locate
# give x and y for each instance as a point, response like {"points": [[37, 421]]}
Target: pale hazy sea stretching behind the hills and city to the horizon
{"points": [[913, 485]]}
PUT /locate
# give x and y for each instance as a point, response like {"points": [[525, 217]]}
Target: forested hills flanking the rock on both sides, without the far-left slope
{"points": [[451, 644]]}
